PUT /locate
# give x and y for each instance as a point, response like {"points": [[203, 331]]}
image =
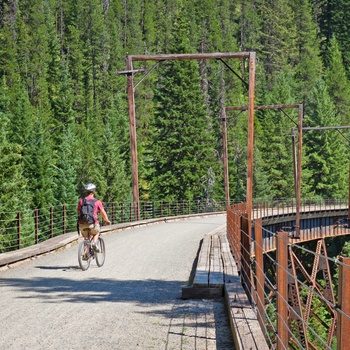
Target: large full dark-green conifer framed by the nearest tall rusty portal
{"points": [[182, 147]]}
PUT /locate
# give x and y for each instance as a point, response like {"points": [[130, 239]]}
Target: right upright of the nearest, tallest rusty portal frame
{"points": [[250, 141]]}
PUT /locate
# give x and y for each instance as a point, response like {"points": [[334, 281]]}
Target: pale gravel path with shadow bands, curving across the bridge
{"points": [[132, 302]]}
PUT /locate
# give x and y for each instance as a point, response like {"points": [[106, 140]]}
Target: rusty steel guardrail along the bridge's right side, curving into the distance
{"points": [[299, 292]]}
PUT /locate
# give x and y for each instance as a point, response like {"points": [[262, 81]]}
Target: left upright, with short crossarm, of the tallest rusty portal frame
{"points": [[133, 142]]}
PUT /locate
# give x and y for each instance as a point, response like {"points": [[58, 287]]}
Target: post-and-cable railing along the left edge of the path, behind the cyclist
{"points": [[25, 228]]}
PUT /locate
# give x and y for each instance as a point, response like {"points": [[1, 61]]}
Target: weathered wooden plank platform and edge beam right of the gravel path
{"points": [[216, 275]]}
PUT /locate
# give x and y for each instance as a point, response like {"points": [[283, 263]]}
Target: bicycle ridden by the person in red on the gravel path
{"points": [[86, 253]]}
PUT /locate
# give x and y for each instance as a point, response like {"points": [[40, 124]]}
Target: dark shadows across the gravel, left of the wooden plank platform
{"points": [[95, 290]]}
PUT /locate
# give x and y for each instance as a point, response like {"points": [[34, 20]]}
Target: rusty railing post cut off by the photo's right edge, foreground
{"points": [[343, 323]]}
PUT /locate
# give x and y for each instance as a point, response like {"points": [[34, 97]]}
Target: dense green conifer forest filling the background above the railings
{"points": [[64, 109]]}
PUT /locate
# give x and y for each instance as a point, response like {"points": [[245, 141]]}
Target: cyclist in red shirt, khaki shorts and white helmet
{"points": [[94, 229]]}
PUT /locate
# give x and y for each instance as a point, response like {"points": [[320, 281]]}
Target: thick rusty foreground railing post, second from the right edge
{"points": [[282, 290]]}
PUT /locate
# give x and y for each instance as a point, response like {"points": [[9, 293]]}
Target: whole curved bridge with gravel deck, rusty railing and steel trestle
{"points": [[165, 278]]}
